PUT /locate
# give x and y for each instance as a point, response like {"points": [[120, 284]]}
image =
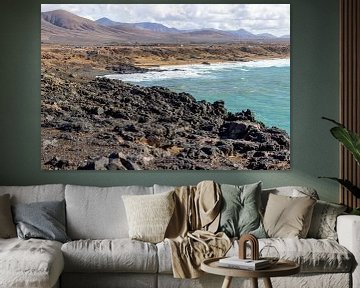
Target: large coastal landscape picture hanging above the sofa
{"points": [[165, 87]]}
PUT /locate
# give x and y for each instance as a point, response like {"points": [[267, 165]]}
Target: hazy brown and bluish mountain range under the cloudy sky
{"points": [[63, 27]]}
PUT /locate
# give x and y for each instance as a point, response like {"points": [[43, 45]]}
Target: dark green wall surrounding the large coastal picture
{"points": [[314, 93]]}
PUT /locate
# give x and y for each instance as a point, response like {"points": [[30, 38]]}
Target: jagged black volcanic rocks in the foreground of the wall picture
{"points": [[103, 124]]}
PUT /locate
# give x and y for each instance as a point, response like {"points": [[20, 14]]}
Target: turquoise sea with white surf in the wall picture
{"points": [[261, 86]]}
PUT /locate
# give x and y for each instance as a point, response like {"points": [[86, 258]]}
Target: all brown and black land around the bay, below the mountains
{"points": [[94, 123]]}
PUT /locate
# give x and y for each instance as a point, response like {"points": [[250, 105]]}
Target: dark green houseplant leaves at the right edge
{"points": [[351, 141]]}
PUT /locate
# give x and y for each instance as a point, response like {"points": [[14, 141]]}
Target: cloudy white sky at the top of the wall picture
{"points": [[256, 18]]}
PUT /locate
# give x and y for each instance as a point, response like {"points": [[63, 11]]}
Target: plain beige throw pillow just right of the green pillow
{"points": [[288, 217]]}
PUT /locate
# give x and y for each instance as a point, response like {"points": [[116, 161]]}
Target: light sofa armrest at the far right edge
{"points": [[348, 230]]}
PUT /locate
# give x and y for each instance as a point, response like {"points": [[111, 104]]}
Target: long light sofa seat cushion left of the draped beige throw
{"points": [[116, 255]]}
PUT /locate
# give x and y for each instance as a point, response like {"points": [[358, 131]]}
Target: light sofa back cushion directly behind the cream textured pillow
{"points": [[98, 213]]}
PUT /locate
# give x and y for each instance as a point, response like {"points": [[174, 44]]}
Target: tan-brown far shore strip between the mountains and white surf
{"points": [[91, 61]]}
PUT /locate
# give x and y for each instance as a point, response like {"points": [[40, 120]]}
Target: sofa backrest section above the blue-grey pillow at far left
{"points": [[35, 193]]}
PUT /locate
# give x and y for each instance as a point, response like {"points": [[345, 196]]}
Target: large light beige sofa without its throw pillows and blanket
{"points": [[102, 255]]}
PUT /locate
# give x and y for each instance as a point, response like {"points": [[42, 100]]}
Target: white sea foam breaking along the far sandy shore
{"points": [[197, 70]]}
